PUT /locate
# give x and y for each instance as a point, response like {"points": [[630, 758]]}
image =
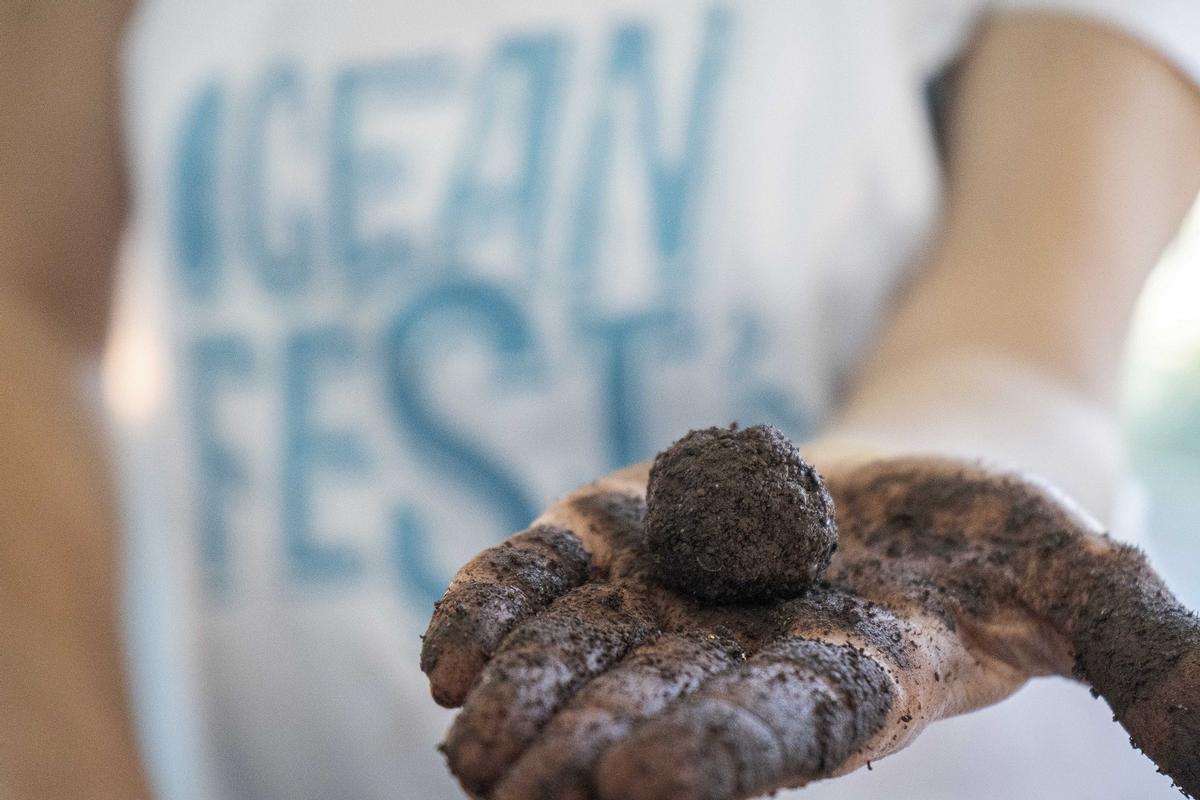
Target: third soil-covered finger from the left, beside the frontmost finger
{"points": [[559, 766]]}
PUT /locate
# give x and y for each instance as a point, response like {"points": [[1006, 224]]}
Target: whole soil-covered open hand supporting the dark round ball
{"points": [[587, 667]]}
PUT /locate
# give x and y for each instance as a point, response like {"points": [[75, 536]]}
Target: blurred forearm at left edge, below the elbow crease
{"points": [[65, 727]]}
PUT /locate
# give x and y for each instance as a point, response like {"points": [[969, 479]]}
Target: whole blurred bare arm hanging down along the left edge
{"points": [[65, 726]]}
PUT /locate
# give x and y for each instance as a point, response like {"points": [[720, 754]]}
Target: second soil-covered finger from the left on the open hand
{"points": [[538, 667]]}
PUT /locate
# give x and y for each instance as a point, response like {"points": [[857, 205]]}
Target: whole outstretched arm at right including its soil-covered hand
{"points": [[1075, 154]]}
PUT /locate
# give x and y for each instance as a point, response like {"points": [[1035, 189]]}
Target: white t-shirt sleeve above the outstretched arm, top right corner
{"points": [[1169, 27]]}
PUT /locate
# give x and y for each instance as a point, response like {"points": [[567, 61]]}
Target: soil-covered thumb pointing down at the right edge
{"points": [[1130, 637]]}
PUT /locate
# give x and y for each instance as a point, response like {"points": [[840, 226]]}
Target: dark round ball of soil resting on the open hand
{"points": [[736, 515]]}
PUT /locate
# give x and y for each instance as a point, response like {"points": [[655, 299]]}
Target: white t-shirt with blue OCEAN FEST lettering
{"points": [[400, 273]]}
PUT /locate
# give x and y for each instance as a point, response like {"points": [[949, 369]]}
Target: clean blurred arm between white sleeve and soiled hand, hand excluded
{"points": [[1075, 155]]}
